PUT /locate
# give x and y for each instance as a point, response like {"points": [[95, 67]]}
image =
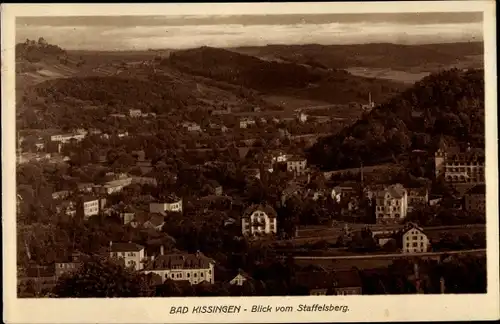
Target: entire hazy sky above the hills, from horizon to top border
{"points": [[176, 32]]}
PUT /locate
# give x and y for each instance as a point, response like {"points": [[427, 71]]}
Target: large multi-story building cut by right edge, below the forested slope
{"points": [[458, 166]]}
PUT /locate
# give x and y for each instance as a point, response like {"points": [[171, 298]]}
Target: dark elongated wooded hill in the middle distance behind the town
{"points": [[290, 79]]}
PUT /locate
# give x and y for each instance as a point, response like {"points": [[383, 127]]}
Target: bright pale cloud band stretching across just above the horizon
{"points": [[233, 35]]}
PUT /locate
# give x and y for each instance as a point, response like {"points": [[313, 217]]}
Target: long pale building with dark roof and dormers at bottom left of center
{"points": [[195, 268]]}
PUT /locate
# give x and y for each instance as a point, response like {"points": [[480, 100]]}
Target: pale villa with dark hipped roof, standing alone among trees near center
{"points": [[259, 220]]}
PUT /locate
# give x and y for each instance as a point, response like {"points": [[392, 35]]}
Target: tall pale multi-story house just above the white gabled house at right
{"points": [[391, 204]]}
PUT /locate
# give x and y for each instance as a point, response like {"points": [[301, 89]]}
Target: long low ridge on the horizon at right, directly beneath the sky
{"points": [[428, 57]]}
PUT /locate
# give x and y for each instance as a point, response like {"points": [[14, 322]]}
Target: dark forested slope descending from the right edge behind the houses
{"points": [[450, 103]]}
